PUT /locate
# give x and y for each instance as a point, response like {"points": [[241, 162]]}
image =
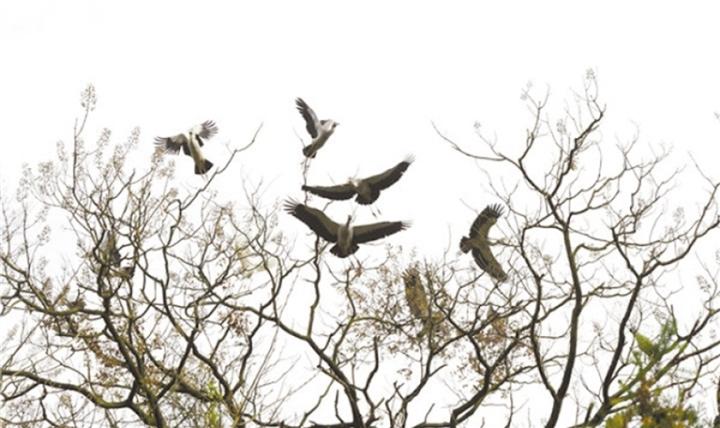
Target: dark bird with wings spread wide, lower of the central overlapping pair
{"points": [[345, 236]]}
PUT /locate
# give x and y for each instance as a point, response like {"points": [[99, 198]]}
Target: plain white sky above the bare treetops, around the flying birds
{"points": [[384, 70]]}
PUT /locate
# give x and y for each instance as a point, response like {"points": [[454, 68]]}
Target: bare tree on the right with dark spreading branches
{"points": [[594, 239]]}
